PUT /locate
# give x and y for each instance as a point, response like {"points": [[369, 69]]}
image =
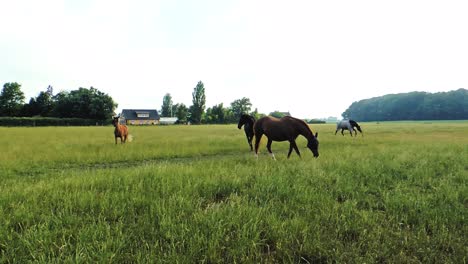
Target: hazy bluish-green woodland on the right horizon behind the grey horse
{"points": [[451, 105]]}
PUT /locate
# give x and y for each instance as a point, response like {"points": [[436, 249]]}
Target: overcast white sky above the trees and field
{"points": [[312, 58]]}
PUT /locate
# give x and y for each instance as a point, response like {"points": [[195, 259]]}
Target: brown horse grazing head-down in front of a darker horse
{"points": [[287, 128]]}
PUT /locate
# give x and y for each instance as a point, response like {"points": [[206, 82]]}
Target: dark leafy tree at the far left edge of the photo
{"points": [[11, 99]]}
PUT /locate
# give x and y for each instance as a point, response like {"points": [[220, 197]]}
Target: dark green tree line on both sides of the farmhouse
{"points": [[93, 104]]}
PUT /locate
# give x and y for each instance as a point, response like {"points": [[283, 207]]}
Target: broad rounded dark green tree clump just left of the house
{"points": [[84, 103]]}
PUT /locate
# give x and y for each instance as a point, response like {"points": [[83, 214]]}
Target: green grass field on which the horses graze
{"points": [[184, 194]]}
